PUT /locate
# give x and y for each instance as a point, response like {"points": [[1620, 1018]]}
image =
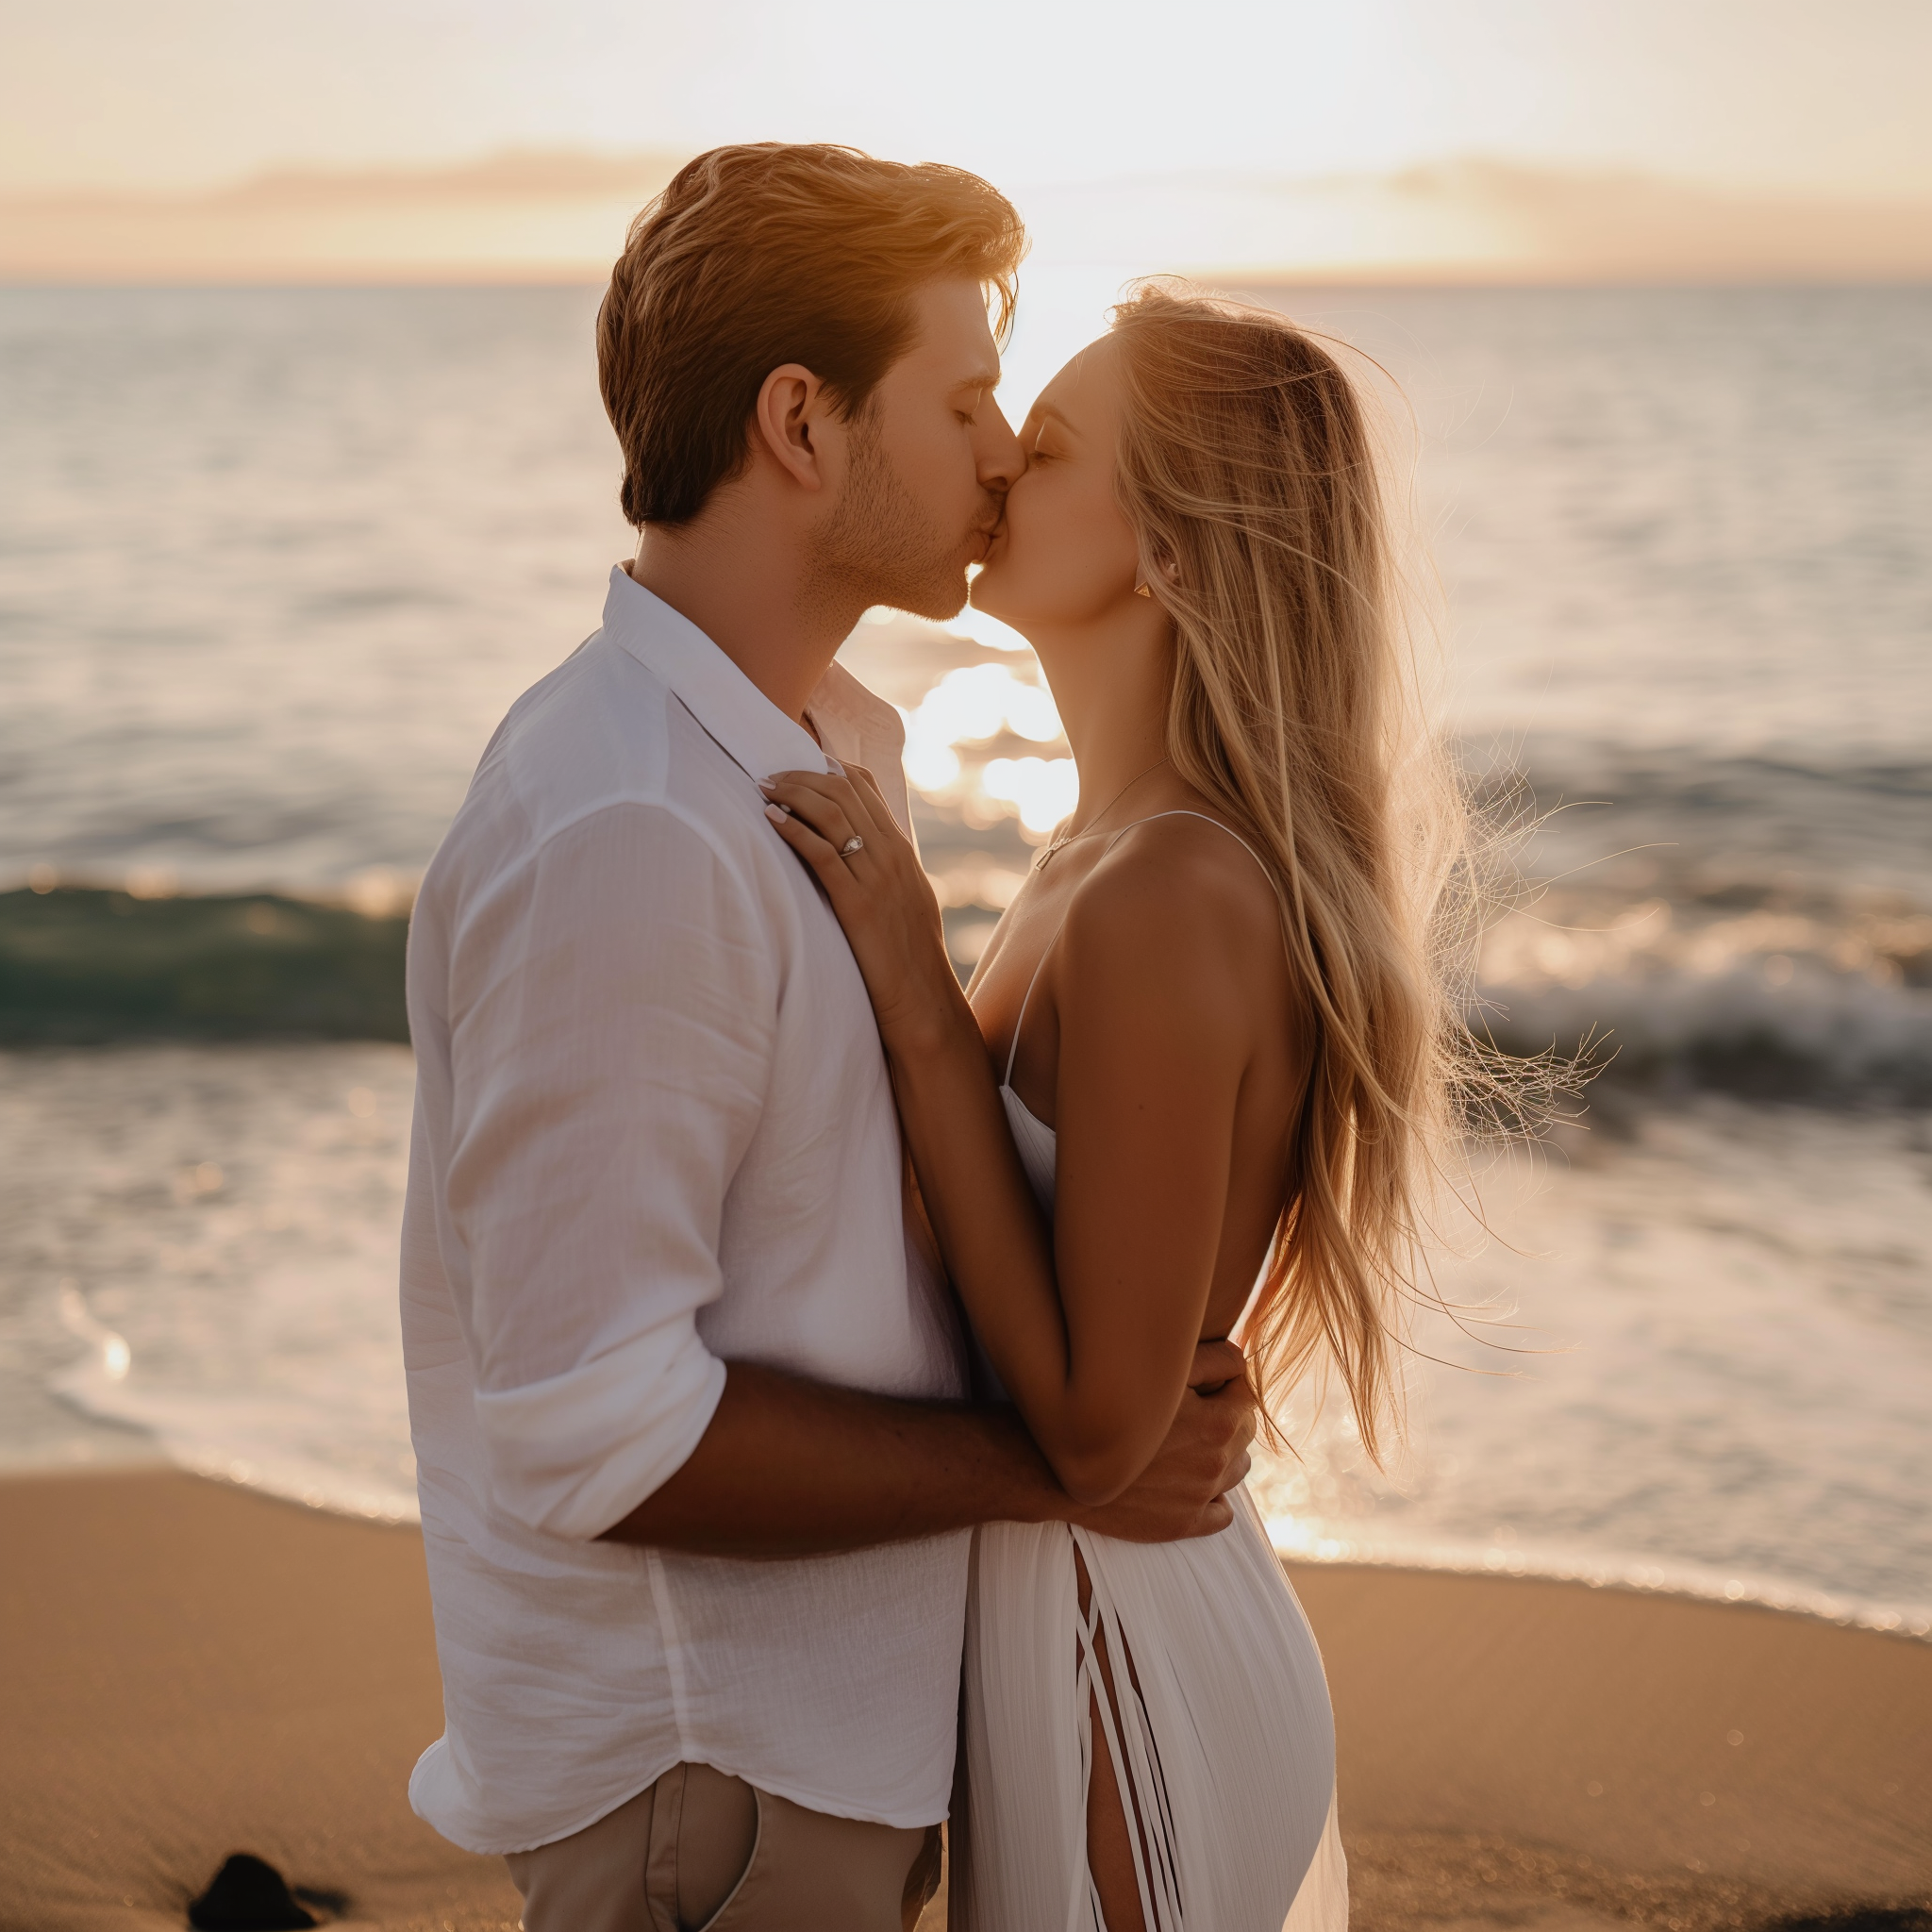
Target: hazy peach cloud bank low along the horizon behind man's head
{"points": [[561, 215]]}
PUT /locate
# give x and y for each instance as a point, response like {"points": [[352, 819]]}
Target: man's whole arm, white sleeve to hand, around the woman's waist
{"points": [[610, 1058]]}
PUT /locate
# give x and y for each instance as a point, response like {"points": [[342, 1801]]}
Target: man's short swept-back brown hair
{"points": [[774, 254]]}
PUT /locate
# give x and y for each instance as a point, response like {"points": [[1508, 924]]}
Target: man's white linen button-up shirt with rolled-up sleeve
{"points": [[656, 1135]]}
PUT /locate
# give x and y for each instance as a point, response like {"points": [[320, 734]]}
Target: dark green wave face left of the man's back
{"points": [[82, 965]]}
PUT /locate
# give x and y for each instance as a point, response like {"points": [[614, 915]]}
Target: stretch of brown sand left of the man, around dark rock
{"points": [[194, 1670]]}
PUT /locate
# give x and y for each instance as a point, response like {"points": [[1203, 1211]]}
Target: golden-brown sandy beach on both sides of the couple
{"points": [[194, 1670]]}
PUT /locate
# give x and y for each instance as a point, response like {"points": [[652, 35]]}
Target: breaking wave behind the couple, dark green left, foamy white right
{"points": [[1761, 1004]]}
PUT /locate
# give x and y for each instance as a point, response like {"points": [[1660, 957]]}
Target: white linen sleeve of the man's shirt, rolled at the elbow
{"points": [[611, 1031]]}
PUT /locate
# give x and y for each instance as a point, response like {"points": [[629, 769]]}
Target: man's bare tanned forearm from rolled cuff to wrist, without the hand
{"points": [[795, 1467]]}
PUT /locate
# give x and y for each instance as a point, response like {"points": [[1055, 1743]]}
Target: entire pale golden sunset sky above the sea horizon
{"points": [[1234, 107]]}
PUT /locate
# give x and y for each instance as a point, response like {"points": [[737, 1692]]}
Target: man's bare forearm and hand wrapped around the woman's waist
{"points": [[793, 1467]]}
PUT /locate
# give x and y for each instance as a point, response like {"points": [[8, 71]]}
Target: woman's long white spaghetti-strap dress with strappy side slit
{"points": [[1220, 1728]]}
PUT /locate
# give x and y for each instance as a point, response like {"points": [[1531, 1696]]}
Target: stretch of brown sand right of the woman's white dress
{"points": [[1525, 1753]]}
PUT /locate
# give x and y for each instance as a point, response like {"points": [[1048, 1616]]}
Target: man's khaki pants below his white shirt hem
{"points": [[710, 1854]]}
